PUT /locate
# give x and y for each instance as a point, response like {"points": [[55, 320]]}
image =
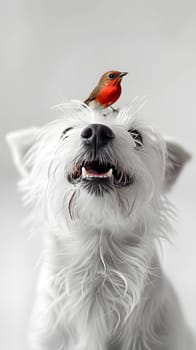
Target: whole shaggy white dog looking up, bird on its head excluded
{"points": [[96, 184]]}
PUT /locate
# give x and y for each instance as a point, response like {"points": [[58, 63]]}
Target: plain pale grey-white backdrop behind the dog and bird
{"points": [[52, 51]]}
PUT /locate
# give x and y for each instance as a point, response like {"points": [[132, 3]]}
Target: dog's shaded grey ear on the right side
{"points": [[177, 157]]}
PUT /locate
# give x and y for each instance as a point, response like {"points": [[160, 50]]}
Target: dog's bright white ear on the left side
{"points": [[20, 142]]}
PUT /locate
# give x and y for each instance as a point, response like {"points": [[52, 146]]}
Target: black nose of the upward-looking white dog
{"points": [[97, 135]]}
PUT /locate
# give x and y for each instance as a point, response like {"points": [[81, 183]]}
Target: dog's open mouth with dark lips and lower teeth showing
{"points": [[100, 173]]}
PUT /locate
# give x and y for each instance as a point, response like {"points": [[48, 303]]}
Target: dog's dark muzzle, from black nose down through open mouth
{"points": [[98, 173]]}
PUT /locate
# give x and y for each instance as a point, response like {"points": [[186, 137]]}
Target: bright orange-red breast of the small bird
{"points": [[108, 95]]}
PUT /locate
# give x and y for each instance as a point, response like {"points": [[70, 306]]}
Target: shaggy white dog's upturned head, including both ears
{"points": [[96, 169]]}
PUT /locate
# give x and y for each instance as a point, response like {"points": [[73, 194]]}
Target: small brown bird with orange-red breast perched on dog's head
{"points": [[107, 91]]}
